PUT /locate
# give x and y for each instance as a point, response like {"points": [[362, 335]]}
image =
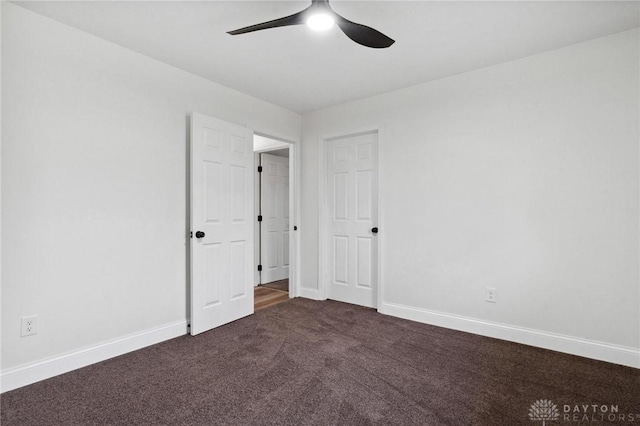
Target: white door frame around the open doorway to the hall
{"points": [[294, 209]]}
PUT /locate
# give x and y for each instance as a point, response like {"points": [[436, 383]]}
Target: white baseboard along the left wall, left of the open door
{"points": [[14, 378]]}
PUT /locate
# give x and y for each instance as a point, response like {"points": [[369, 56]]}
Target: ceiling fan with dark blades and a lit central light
{"points": [[320, 16]]}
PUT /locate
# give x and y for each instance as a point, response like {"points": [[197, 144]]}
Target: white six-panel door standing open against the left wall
{"points": [[221, 222]]}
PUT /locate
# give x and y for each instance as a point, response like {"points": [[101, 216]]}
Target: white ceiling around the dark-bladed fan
{"points": [[303, 71]]}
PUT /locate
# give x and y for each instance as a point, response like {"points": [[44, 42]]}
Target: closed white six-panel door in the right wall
{"points": [[352, 203]]}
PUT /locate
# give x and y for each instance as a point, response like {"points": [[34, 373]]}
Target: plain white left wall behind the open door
{"points": [[94, 153]]}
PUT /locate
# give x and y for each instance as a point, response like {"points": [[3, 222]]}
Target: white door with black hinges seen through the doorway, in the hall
{"points": [[274, 230]]}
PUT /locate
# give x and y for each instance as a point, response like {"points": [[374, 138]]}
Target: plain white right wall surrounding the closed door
{"points": [[521, 176]]}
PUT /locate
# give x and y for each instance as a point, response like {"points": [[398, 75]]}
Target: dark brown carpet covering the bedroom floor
{"points": [[326, 363]]}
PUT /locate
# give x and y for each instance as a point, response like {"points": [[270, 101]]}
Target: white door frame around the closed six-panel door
{"points": [[323, 211]]}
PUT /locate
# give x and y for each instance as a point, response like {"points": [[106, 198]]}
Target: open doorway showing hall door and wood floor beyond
{"points": [[274, 228]]}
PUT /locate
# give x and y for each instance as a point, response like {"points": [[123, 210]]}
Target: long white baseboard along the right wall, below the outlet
{"points": [[572, 345]]}
